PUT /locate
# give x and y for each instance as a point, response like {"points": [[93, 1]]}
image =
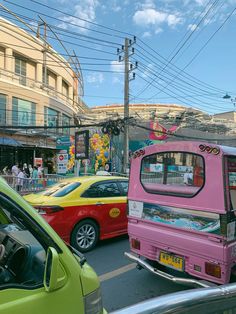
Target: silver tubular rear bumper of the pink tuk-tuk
{"points": [[179, 280]]}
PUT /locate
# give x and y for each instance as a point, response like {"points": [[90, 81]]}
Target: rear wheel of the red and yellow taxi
{"points": [[85, 235]]}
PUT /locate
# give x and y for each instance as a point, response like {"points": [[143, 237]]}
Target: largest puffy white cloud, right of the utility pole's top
{"points": [[154, 17]]}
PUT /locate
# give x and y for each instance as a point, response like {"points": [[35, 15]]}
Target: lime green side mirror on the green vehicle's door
{"points": [[54, 273]]}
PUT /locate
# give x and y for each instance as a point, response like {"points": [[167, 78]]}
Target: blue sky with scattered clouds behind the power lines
{"points": [[185, 49]]}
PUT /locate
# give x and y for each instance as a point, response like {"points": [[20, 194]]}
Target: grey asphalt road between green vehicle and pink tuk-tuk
{"points": [[121, 282]]}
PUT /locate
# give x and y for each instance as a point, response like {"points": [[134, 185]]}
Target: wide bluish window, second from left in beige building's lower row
{"points": [[23, 112]]}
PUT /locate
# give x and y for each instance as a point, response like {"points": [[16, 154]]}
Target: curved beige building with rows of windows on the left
{"points": [[38, 88]]}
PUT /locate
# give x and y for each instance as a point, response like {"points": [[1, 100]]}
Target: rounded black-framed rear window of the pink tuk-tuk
{"points": [[173, 173]]}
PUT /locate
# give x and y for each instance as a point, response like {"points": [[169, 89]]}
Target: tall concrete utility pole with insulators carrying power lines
{"points": [[128, 67]]}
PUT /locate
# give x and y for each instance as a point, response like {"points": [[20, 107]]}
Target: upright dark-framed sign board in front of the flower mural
{"points": [[82, 145]]}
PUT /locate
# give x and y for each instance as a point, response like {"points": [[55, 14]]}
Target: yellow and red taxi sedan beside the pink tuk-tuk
{"points": [[83, 210]]}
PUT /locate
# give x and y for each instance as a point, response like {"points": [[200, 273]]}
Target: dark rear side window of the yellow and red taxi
{"points": [[107, 189]]}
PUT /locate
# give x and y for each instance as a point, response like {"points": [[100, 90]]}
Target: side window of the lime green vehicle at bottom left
{"points": [[22, 248]]}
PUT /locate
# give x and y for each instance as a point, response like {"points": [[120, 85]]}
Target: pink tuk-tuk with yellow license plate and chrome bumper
{"points": [[182, 211]]}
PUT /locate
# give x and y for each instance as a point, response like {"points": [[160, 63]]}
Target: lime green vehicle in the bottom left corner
{"points": [[39, 274]]}
